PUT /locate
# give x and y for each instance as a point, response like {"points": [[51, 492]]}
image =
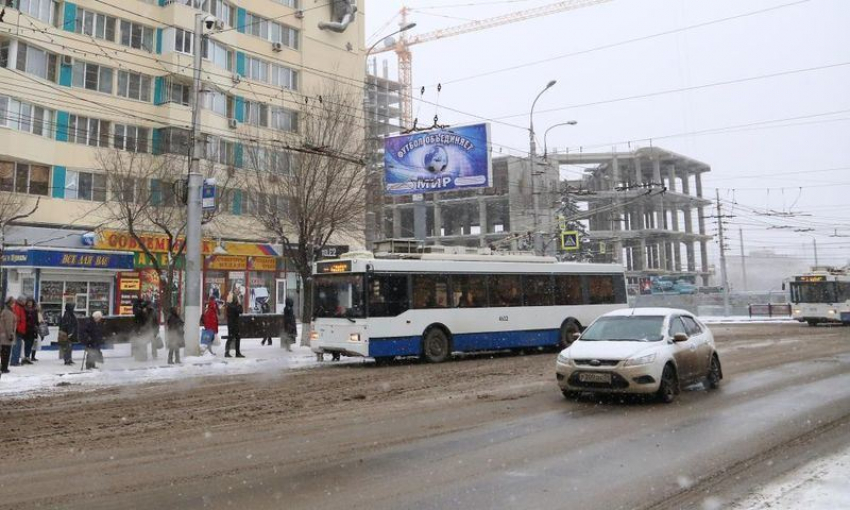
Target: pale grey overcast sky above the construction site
{"points": [[623, 54]]}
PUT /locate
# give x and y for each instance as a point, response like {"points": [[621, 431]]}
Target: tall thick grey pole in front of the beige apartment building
{"points": [[192, 297]]}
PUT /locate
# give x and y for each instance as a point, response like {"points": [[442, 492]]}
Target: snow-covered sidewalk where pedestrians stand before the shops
{"points": [[50, 374]]}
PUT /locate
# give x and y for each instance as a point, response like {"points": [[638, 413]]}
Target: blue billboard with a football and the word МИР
{"points": [[437, 161]]}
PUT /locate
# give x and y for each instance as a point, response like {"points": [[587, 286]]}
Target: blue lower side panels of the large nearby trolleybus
{"points": [[411, 345]]}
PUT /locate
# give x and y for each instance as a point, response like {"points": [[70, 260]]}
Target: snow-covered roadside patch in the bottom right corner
{"points": [[819, 485]]}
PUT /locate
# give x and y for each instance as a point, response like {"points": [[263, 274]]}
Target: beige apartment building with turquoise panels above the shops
{"points": [[82, 80]]}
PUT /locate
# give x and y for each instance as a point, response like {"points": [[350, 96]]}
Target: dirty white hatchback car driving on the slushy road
{"points": [[640, 350]]}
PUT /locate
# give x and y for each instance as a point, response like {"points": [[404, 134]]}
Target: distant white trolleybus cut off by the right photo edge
{"points": [[821, 296]]}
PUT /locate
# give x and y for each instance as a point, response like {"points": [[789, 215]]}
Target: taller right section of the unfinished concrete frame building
{"points": [[655, 235]]}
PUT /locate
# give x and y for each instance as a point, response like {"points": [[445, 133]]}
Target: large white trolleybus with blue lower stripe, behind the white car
{"points": [[430, 305]]}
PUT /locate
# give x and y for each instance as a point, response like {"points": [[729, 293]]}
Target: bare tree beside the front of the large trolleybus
{"points": [[310, 188]]}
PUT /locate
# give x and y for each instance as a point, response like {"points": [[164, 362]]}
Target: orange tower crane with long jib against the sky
{"points": [[405, 57]]}
